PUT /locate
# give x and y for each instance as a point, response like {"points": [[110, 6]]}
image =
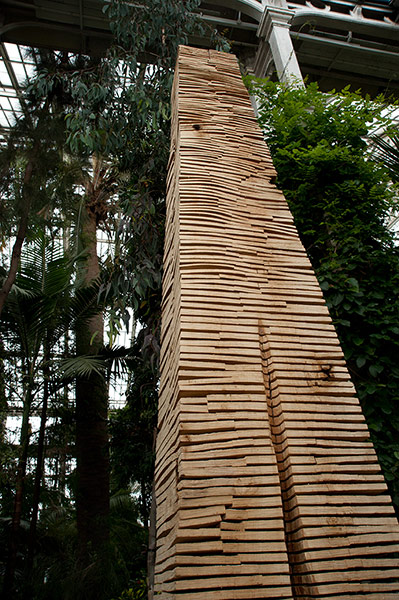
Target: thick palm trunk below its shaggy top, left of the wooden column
{"points": [[92, 496]]}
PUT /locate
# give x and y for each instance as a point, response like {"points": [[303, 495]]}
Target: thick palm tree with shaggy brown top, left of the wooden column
{"points": [[92, 493]]}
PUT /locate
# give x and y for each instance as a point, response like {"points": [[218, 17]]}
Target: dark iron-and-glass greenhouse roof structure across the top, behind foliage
{"points": [[336, 41]]}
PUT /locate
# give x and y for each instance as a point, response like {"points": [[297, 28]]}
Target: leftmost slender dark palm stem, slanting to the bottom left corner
{"points": [[8, 583]]}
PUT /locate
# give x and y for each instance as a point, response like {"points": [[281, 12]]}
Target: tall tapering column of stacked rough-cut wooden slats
{"points": [[267, 485]]}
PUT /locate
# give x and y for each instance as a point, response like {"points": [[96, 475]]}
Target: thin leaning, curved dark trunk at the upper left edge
{"points": [[21, 234]]}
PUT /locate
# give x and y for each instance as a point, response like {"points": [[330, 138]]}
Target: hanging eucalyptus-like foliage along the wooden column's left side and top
{"points": [[124, 115]]}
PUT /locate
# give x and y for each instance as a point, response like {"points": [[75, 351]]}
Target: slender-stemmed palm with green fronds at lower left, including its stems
{"points": [[40, 310]]}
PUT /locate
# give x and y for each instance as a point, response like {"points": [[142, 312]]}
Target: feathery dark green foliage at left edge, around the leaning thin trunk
{"points": [[36, 141]]}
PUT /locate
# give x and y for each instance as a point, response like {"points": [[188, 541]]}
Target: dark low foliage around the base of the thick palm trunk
{"points": [[58, 572]]}
